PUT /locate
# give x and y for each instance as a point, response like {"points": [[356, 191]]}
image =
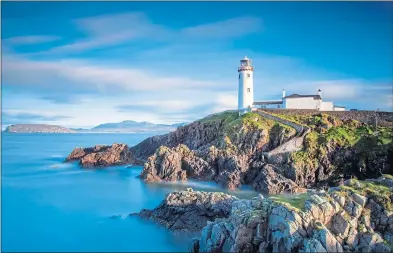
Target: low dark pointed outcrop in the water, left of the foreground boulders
{"points": [[189, 210]]}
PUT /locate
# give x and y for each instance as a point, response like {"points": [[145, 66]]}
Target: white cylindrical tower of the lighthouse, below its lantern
{"points": [[246, 89]]}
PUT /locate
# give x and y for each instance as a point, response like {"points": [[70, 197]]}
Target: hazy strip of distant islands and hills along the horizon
{"points": [[128, 126]]}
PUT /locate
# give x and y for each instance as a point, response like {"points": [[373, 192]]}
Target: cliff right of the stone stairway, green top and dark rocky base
{"points": [[336, 149]]}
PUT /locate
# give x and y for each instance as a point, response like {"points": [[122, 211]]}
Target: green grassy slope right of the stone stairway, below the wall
{"points": [[328, 130]]}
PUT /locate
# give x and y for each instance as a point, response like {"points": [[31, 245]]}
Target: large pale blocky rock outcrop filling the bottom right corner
{"points": [[356, 217]]}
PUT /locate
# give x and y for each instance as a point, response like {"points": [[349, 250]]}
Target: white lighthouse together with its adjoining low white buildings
{"points": [[294, 101]]}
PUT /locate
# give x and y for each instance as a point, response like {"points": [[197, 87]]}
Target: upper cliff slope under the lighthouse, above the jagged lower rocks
{"points": [[247, 134]]}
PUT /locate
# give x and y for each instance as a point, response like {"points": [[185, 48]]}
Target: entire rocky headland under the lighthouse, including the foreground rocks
{"points": [[326, 177]]}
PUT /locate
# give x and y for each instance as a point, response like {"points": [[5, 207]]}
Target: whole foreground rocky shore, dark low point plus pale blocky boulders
{"points": [[355, 217]]}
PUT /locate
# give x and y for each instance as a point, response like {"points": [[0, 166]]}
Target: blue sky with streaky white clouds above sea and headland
{"points": [[79, 64]]}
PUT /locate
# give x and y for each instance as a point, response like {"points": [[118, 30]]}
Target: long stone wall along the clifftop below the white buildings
{"points": [[367, 117]]}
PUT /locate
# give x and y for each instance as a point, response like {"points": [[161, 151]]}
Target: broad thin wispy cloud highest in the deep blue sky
{"points": [[116, 29]]}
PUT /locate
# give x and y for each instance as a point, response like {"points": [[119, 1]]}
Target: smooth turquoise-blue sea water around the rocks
{"points": [[48, 205]]}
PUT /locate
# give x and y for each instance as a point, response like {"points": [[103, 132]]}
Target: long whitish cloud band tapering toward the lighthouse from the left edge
{"points": [[79, 75]]}
